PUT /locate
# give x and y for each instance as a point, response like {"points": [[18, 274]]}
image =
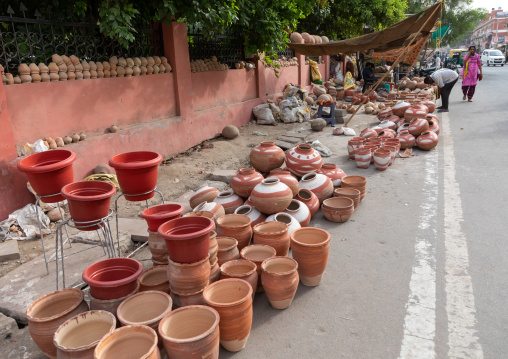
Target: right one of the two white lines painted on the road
{"points": [[463, 341]]}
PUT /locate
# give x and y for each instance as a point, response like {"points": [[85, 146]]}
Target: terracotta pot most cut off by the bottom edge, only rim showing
{"points": [[132, 341]]}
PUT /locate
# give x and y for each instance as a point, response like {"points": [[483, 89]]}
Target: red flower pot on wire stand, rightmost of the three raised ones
{"points": [[136, 173]]}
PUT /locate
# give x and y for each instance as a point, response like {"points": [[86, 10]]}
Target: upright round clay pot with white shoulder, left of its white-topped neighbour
{"points": [[271, 196]]}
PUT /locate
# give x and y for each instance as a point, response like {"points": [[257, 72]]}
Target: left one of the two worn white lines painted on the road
{"points": [[420, 321]]}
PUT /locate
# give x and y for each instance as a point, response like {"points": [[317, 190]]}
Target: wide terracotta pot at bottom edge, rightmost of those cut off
{"points": [[191, 333]]}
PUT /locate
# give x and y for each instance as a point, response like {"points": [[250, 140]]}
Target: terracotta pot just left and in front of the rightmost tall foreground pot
{"points": [[279, 276]]}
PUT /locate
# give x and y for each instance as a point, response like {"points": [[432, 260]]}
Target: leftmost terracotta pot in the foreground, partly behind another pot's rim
{"points": [[48, 312]]}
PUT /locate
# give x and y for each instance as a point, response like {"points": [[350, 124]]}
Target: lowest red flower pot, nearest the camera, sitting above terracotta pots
{"points": [[112, 278]]}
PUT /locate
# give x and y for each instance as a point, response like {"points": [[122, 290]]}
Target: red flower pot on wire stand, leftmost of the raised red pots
{"points": [[48, 172]]}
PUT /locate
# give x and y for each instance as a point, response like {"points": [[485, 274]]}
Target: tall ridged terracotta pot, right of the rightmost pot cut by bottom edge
{"points": [[232, 299]]}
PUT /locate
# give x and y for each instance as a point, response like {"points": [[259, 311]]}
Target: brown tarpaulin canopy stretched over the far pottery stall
{"points": [[393, 37]]}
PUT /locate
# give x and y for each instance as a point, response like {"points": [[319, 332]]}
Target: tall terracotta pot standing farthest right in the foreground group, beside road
{"points": [[310, 248]]}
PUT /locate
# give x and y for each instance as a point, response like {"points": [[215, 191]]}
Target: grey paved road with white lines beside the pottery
{"points": [[420, 271]]}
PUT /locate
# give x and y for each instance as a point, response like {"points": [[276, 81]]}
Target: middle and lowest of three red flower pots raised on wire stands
{"points": [[88, 202]]}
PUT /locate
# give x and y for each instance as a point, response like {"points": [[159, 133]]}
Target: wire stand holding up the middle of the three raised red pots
{"points": [[106, 241]]}
